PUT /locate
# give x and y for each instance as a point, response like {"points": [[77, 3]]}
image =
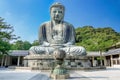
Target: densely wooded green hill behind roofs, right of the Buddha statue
{"points": [[94, 39]]}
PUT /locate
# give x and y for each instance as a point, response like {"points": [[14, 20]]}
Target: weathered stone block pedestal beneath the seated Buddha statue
{"points": [[46, 62]]}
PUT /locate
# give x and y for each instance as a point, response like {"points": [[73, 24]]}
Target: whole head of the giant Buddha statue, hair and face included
{"points": [[57, 12]]}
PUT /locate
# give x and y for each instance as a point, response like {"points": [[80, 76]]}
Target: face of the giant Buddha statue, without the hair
{"points": [[57, 13]]}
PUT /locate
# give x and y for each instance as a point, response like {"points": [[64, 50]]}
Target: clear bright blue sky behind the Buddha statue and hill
{"points": [[27, 15]]}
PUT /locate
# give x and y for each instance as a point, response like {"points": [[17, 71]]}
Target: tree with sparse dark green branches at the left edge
{"points": [[6, 35]]}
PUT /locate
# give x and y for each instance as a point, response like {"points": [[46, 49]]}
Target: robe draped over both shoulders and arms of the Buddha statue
{"points": [[46, 33]]}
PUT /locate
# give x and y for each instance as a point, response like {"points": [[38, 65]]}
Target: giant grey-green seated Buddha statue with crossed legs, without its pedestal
{"points": [[57, 34]]}
